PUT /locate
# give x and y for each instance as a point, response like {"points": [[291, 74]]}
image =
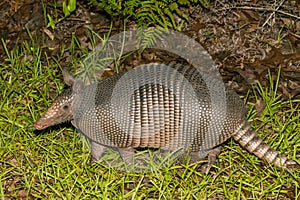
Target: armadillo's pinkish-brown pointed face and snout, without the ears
{"points": [[60, 111]]}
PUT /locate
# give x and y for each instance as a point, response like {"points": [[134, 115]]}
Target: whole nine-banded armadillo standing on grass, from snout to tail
{"points": [[158, 106]]}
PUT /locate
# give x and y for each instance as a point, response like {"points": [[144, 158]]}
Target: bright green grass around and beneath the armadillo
{"points": [[54, 164]]}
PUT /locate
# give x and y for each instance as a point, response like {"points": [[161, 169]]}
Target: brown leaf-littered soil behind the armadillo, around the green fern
{"points": [[245, 39]]}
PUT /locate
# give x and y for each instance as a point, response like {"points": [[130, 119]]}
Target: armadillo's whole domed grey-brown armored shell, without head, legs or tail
{"points": [[158, 106]]}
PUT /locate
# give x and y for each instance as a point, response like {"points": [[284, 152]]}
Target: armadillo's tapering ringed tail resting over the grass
{"points": [[248, 138]]}
